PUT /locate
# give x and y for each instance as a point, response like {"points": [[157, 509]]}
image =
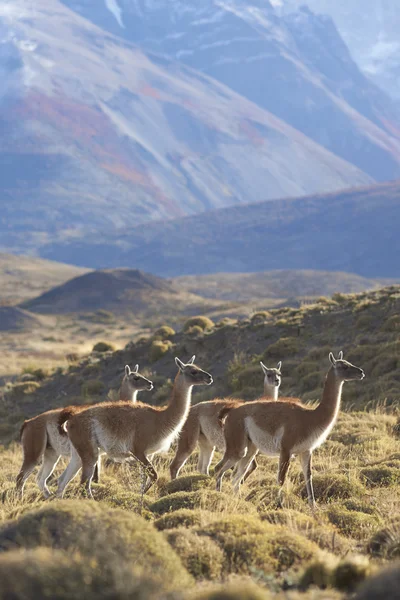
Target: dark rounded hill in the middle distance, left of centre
{"points": [[120, 291]]}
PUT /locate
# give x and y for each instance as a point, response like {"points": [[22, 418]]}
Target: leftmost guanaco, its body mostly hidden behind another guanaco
{"points": [[41, 439]]}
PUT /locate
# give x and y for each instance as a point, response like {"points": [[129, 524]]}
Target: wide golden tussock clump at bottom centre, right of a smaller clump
{"points": [[250, 544]]}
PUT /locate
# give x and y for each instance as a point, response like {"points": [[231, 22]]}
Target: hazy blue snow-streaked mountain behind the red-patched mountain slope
{"points": [[295, 66]]}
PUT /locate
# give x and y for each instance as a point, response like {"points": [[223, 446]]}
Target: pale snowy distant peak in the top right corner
{"points": [[372, 35]]}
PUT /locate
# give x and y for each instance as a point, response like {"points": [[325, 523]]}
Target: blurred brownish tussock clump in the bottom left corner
{"points": [[56, 575]]}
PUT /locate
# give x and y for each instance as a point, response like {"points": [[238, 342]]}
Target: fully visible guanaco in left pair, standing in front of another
{"points": [[127, 431]]}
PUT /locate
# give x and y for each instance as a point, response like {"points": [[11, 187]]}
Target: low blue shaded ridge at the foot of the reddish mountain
{"points": [[354, 231]]}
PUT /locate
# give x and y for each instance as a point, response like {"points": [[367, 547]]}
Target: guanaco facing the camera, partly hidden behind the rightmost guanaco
{"points": [[204, 428]]}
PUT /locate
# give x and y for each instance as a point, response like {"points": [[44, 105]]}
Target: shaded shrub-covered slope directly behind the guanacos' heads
{"points": [[365, 326]]}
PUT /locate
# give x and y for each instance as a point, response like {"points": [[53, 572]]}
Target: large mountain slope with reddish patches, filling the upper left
{"points": [[97, 133]]}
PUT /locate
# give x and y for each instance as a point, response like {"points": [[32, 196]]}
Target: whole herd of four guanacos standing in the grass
{"points": [[128, 430]]}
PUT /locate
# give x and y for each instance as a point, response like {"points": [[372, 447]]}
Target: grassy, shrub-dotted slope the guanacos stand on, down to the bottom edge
{"points": [[185, 540]]}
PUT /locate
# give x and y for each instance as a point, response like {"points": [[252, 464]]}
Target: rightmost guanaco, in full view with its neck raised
{"points": [[283, 429]]}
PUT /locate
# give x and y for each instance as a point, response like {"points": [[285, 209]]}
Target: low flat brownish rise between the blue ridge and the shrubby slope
{"points": [[274, 285]]}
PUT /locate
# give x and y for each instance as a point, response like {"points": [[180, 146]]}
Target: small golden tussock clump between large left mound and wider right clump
{"points": [[201, 556]]}
